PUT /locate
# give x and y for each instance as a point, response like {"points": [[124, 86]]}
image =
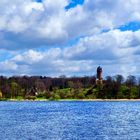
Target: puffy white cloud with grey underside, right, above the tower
{"points": [[111, 45]]}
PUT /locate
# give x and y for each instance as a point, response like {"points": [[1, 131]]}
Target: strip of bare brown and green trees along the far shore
{"points": [[41, 87]]}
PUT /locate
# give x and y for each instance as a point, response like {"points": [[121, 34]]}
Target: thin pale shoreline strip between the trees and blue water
{"points": [[70, 100]]}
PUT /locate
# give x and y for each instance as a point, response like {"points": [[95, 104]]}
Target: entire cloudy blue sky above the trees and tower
{"points": [[69, 37]]}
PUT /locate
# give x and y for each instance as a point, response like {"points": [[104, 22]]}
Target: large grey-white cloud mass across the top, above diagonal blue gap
{"points": [[28, 23]]}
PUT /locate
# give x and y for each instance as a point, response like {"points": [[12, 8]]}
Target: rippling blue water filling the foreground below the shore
{"points": [[70, 120]]}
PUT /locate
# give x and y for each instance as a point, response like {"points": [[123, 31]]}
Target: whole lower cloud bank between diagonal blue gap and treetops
{"points": [[115, 50]]}
